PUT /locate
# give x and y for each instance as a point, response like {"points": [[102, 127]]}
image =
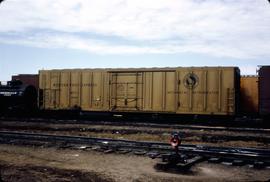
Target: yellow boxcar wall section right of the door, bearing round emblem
{"points": [[206, 91]]}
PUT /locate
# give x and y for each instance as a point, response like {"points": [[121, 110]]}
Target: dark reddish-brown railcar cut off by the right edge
{"points": [[264, 90]]}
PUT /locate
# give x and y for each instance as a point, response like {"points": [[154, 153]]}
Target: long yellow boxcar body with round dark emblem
{"points": [[180, 90]]}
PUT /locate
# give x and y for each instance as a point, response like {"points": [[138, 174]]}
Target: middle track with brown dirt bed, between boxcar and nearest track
{"points": [[201, 133]]}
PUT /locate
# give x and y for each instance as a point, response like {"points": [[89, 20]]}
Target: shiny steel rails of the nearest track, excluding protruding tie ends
{"points": [[150, 147]]}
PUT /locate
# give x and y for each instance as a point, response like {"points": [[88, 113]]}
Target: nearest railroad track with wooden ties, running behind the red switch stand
{"points": [[153, 149]]}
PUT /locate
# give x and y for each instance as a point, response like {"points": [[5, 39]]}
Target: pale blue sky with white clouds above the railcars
{"points": [[47, 34]]}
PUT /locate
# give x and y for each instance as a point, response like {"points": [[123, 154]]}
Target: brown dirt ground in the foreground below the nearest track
{"points": [[27, 164]]}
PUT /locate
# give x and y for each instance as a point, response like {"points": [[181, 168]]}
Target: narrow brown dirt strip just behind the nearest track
{"points": [[135, 130]]}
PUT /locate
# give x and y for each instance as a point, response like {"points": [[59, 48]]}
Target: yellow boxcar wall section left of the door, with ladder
{"points": [[73, 89]]}
